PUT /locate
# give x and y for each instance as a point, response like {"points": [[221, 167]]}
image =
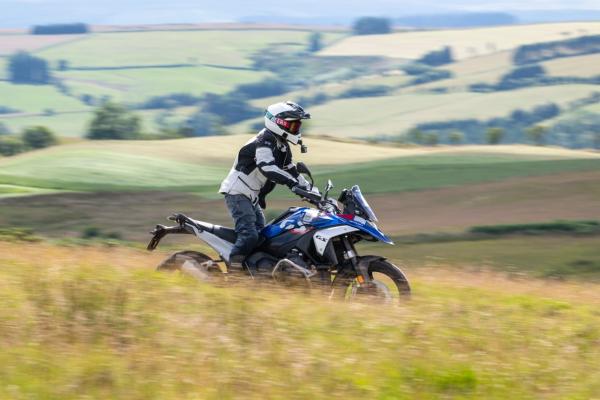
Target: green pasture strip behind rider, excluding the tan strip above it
{"points": [[143, 165]]}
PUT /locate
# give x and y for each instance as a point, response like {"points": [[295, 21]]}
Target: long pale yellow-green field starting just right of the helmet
{"points": [[393, 115]]}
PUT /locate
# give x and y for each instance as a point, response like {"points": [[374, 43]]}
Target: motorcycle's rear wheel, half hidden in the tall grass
{"points": [[193, 263]]}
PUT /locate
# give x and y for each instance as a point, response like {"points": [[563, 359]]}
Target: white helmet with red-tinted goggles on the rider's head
{"points": [[285, 119]]}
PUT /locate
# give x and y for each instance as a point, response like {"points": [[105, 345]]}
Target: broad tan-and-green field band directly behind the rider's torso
{"points": [[185, 165]]}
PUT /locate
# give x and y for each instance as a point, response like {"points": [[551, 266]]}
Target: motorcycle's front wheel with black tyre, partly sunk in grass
{"points": [[388, 284]]}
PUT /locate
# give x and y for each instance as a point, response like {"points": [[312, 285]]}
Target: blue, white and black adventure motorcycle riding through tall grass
{"points": [[312, 245]]}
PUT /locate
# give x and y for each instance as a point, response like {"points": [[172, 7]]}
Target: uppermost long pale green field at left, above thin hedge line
{"points": [[227, 48]]}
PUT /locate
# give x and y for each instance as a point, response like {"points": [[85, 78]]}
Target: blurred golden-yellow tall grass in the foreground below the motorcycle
{"points": [[98, 322]]}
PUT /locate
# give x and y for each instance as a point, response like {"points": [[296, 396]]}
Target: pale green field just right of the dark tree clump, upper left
{"points": [[136, 85]]}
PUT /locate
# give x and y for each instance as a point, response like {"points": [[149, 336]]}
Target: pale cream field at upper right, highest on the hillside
{"points": [[465, 43]]}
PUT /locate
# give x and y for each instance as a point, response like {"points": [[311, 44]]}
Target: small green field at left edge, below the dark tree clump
{"points": [[37, 98]]}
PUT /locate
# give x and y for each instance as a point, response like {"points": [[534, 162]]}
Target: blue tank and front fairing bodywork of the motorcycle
{"points": [[305, 219]]}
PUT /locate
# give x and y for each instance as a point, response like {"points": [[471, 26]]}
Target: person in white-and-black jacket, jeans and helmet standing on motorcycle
{"points": [[263, 162]]}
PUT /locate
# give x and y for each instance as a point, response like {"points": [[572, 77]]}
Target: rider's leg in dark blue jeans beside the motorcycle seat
{"points": [[243, 213]]}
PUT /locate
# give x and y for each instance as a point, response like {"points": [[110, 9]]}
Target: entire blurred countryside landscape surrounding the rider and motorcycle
{"points": [[474, 136]]}
